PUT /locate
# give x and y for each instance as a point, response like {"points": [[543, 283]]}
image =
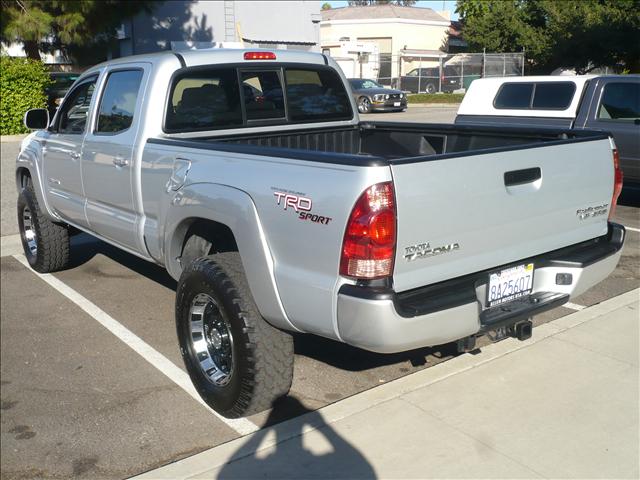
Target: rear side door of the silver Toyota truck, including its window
{"points": [[108, 158]]}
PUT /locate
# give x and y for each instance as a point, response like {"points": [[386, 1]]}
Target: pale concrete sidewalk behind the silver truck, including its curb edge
{"points": [[563, 404]]}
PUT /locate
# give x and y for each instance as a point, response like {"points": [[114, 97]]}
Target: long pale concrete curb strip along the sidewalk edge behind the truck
{"points": [[237, 448]]}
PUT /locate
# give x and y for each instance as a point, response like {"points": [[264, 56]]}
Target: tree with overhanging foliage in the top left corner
{"points": [[68, 25]]}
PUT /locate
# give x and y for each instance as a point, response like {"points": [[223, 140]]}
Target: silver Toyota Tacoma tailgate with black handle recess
{"points": [[457, 215]]}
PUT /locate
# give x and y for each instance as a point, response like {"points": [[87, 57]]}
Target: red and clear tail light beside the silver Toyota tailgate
{"points": [[369, 242]]}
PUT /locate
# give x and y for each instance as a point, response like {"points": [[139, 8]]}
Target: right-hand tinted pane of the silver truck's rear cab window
{"points": [[316, 95]]}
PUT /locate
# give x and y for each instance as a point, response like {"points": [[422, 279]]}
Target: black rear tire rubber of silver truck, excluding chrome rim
{"points": [[262, 354]]}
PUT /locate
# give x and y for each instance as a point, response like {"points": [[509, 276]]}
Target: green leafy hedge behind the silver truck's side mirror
{"points": [[22, 84]]}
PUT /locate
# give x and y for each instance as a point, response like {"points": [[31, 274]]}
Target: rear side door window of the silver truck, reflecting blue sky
{"points": [[118, 102]]}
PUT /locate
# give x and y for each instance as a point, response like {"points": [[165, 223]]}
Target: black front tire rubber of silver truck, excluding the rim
{"points": [[52, 239]]}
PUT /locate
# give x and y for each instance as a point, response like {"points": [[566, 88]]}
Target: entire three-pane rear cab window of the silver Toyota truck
{"points": [[219, 98]]}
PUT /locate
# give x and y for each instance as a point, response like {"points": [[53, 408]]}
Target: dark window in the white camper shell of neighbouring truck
{"points": [[535, 96]]}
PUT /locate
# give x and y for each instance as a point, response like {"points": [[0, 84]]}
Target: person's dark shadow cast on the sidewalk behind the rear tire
{"points": [[324, 454]]}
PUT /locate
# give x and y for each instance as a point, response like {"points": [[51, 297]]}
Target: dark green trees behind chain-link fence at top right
{"points": [[580, 34]]}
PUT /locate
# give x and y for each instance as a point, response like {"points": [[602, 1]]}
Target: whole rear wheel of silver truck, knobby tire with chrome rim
{"points": [[238, 362]]}
